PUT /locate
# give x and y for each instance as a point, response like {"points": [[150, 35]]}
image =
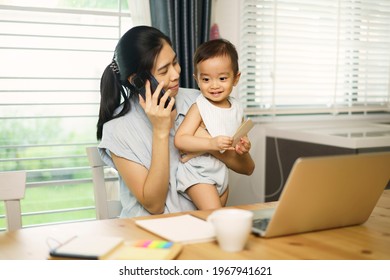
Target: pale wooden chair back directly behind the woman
{"points": [[106, 191]]}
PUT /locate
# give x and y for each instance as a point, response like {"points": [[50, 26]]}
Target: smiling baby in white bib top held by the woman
{"points": [[204, 179]]}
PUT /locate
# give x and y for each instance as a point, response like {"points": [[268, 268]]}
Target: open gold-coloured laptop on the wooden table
{"points": [[324, 193]]}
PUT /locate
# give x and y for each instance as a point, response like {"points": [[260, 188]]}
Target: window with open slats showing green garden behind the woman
{"points": [[52, 55]]}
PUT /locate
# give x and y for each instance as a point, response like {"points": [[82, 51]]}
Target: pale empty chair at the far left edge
{"points": [[12, 190]]}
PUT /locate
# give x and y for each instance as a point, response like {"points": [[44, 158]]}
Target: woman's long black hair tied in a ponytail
{"points": [[135, 52]]}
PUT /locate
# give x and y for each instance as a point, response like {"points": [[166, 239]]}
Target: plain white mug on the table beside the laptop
{"points": [[232, 228]]}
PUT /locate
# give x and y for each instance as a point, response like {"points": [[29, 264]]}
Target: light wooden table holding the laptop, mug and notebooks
{"points": [[368, 241]]}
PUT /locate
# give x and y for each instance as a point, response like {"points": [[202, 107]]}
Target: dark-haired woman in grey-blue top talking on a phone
{"points": [[137, 135]]}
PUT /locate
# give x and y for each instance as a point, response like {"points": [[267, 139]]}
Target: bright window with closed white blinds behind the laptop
{"points": [[302, 57]]}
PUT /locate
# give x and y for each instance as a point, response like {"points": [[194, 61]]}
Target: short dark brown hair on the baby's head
{"points": [[215, 48]]}
